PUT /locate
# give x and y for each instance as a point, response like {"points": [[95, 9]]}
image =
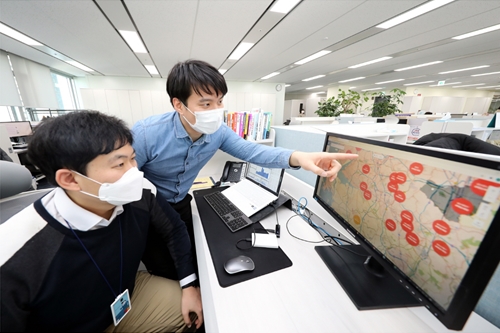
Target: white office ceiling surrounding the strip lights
{"points": [[175, 30]]}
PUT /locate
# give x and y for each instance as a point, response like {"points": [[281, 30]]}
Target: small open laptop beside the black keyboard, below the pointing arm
{"points": [[260, 187]]}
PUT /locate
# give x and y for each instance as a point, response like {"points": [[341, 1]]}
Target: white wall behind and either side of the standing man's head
{"points": [[132, 99]]}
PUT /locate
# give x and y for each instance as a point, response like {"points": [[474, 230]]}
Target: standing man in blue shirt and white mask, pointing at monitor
{"points": [[173, 147]]}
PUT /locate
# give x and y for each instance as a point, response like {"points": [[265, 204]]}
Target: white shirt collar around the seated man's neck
{"points": [[78, 217]]}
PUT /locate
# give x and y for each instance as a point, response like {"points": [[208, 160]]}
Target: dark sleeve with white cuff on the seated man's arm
{"points": [[167, 222]]}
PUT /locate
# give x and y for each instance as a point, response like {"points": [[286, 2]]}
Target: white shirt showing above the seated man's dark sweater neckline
{"points": [[63, 209]]}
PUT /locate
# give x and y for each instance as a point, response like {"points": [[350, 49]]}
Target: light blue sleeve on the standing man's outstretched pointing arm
{"points": [[270, 157]]}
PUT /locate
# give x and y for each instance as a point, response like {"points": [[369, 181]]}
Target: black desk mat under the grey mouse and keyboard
{"points": [[222, 244]]}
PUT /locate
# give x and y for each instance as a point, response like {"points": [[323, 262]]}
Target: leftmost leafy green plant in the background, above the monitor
{"points": [[346, 102]]}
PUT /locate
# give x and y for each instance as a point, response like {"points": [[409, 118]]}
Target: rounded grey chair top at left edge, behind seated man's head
{"points": [[14, 179]]}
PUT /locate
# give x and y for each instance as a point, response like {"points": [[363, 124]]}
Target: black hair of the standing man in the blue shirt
{"points": [[194, 75]]}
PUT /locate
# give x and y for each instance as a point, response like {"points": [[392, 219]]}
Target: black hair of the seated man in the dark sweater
{"points": [[75, 139]]}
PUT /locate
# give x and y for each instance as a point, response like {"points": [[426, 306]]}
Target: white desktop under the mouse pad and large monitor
{"points": [[304, 297]]}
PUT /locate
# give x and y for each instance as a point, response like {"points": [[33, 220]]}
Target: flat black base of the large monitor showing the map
{"points": [[367, 290]]}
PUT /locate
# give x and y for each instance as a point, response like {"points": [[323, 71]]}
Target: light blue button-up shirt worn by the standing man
{"points": [[171, 160]]}
